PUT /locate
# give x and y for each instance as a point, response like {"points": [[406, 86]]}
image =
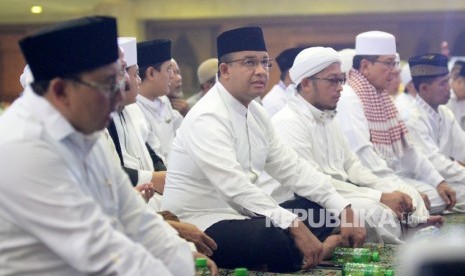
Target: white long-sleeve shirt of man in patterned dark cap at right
{"points": [[440, 138]]}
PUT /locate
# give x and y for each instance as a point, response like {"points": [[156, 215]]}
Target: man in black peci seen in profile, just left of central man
{"points": [[156, 73]]}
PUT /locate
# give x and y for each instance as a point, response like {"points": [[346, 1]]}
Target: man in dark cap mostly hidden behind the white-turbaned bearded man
{"points": [[277, 97]]}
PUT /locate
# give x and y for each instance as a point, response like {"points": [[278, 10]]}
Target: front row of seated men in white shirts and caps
{"points": [[268, 194]]}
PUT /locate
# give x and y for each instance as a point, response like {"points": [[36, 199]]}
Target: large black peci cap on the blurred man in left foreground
{"points": [[71, 47]]}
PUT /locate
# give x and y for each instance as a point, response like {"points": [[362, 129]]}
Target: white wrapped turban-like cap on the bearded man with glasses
{"points": [[311, 61]]}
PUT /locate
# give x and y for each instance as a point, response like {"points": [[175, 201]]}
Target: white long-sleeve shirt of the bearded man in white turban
{"points": [[315, 136]]}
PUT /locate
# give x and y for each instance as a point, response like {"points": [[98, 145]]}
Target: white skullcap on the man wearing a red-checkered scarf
{"points": [[375, 43]]}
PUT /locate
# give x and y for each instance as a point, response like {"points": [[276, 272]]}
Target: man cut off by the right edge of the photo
{"points": [[457, 99]]}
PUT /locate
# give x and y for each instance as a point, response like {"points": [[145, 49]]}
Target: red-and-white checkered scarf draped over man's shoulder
{"points": [[388, 132]]}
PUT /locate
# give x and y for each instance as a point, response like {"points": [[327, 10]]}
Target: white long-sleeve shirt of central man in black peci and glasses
{"points": [[220, 150]]}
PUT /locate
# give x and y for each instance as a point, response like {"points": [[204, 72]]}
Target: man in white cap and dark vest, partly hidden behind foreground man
{"points": [[137, 156]]}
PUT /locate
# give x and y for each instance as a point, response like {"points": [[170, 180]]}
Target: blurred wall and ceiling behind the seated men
{"points": [[420, 26]]}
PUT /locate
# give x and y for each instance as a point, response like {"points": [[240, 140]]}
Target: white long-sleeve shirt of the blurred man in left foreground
{"points": [[67, 208]]}
